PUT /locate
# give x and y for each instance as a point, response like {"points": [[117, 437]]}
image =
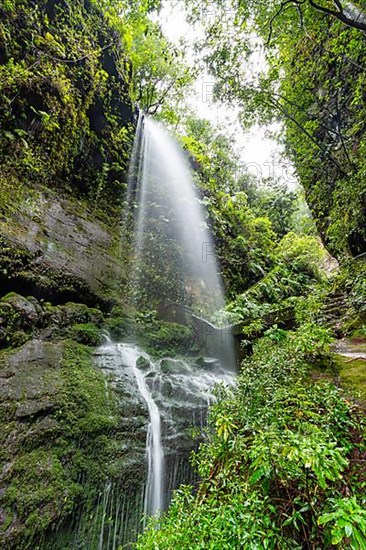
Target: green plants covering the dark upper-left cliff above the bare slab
{"points": [[65, 105]]}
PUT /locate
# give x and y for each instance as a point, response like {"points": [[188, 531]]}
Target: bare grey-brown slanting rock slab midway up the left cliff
{"points": [[53, 251]]}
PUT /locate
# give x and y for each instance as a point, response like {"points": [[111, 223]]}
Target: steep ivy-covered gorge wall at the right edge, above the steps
{"points": [[324, 111]]}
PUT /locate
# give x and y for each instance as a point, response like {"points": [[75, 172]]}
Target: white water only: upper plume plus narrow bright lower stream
{"points": [[173, 258]]}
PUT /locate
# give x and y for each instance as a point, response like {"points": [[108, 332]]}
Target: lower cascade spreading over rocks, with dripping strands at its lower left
{"points": [[171, 398]]}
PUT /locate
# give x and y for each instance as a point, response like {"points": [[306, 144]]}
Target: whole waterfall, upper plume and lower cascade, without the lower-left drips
{"points": [[173, 258]]}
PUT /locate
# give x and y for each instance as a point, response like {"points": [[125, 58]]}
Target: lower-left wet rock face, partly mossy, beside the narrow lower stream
{"points": [[62, 438]]}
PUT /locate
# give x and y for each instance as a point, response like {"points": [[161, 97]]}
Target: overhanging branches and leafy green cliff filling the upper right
{"points": [[312, 83]]}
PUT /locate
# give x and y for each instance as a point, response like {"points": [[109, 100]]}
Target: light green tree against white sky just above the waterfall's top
{"points": [[159, 75]]}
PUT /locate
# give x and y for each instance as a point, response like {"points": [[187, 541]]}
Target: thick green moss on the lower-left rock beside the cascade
{"points": [[42, 485]]}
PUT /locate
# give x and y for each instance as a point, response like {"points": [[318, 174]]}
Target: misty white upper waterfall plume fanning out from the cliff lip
{"points": [[173, 254]]}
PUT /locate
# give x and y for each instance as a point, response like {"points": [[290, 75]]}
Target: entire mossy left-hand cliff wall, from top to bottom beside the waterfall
{"points": [[66, 125]]}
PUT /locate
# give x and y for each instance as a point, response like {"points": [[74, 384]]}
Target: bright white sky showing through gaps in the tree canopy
{"points": [[261, 154]]}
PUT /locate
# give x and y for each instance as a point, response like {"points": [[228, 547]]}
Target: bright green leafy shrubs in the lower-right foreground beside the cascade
{"points": [[277, 457]]}
